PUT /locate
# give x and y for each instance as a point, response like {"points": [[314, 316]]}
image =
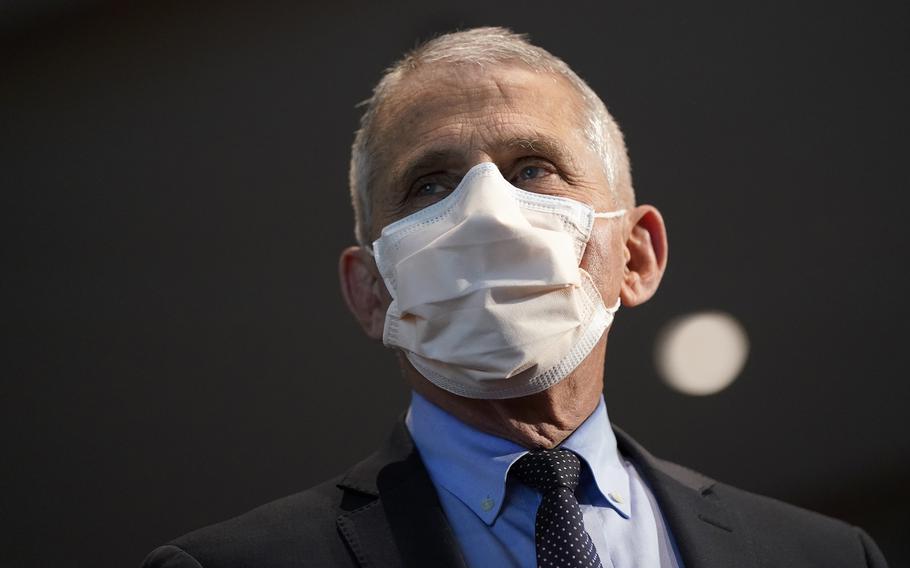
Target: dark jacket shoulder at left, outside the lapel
{"points": [[297, 530]]}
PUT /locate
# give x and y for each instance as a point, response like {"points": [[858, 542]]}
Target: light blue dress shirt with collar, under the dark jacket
{"points": [[492, 515]]}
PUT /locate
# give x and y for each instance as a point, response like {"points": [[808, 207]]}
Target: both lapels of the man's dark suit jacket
{"points": [[394, 518]]}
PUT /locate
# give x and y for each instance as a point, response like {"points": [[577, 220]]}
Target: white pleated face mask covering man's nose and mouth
{"points": [[488, 299]]}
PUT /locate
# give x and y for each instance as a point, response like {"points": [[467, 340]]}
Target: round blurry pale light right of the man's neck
{"points": [[701, 353]]}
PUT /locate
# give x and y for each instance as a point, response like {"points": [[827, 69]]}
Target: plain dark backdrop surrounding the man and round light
{"points": [[174, 198]]}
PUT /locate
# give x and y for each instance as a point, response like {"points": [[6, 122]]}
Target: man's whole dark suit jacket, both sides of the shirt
{"points": [[384, 512]]}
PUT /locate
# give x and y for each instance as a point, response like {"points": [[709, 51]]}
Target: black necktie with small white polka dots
{"points": [[559, 531]]}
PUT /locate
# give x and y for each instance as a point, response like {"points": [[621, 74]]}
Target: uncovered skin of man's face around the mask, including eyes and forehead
{"points": [[442, 120]]}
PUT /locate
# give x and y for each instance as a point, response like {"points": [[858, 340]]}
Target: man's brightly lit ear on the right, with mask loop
{"points": [[646, 255]]}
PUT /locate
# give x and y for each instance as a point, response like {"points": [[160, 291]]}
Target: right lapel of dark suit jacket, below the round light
{"points": [[706, 533]]}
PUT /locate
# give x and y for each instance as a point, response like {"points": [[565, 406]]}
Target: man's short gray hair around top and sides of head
{"points": [[484, 47]]}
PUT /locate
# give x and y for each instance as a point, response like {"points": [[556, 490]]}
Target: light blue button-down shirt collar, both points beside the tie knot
{"points": [[474, 465]]}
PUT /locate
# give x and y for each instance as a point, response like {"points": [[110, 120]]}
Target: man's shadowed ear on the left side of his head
{"points": [[362, 288]]}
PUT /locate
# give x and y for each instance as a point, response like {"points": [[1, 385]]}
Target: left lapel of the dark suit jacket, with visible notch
{"points": [[395, 519]]}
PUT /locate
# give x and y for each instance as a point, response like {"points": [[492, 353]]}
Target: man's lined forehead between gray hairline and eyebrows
{"points": [[443, 108]]}
